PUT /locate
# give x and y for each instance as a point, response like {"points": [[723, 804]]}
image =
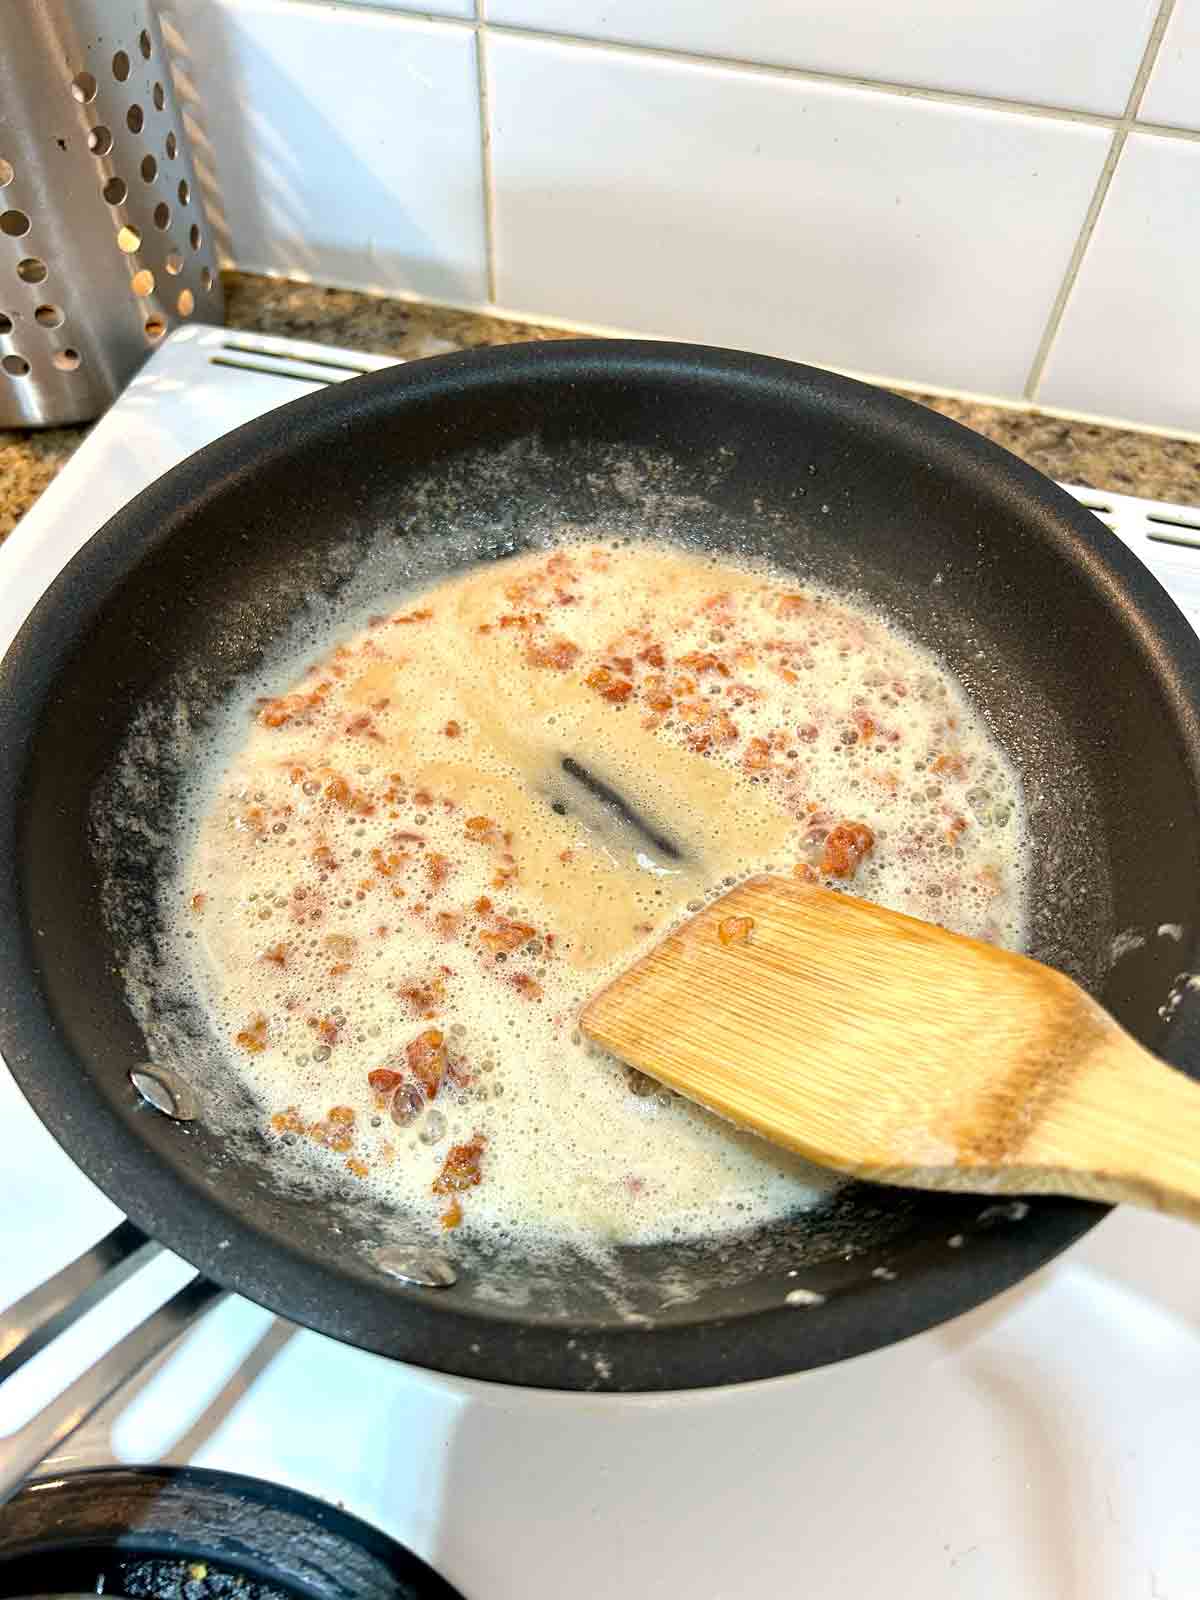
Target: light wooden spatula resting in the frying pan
{"points": [[894, 1050]]}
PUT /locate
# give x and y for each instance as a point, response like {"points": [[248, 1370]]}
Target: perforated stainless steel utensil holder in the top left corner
{"points": [[105, 244]]}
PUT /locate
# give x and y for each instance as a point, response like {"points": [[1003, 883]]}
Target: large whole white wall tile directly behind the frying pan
{"points": [[874, 233]]}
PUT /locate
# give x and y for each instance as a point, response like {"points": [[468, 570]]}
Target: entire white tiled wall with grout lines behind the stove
{"points": [[994, 196]]}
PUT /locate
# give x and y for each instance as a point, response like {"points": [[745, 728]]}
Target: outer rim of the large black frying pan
{"points": [[433, 1332]]}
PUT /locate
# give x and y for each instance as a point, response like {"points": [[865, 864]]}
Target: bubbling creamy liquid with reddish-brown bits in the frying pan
{"points": [[474, 812]]}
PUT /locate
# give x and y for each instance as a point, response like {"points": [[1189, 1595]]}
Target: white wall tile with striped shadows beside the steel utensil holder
{"points": [[346, 143]]}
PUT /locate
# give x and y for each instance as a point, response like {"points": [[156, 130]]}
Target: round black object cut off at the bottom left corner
{"points": [[190, 1534]]}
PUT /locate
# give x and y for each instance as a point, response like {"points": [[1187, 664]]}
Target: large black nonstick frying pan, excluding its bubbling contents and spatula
{"points": [[1084, 668]]}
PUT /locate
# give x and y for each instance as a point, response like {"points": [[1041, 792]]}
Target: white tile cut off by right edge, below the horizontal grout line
{"points": [[1130, 338]]}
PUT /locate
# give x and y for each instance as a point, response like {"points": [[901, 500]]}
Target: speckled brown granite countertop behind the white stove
{"points": [[1103, 458]]}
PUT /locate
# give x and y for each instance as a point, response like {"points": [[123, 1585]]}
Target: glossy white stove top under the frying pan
{"points": [[1046, 1447]]}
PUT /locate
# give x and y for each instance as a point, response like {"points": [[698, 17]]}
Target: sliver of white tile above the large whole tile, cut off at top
{"points": [[1076, 54]]}
